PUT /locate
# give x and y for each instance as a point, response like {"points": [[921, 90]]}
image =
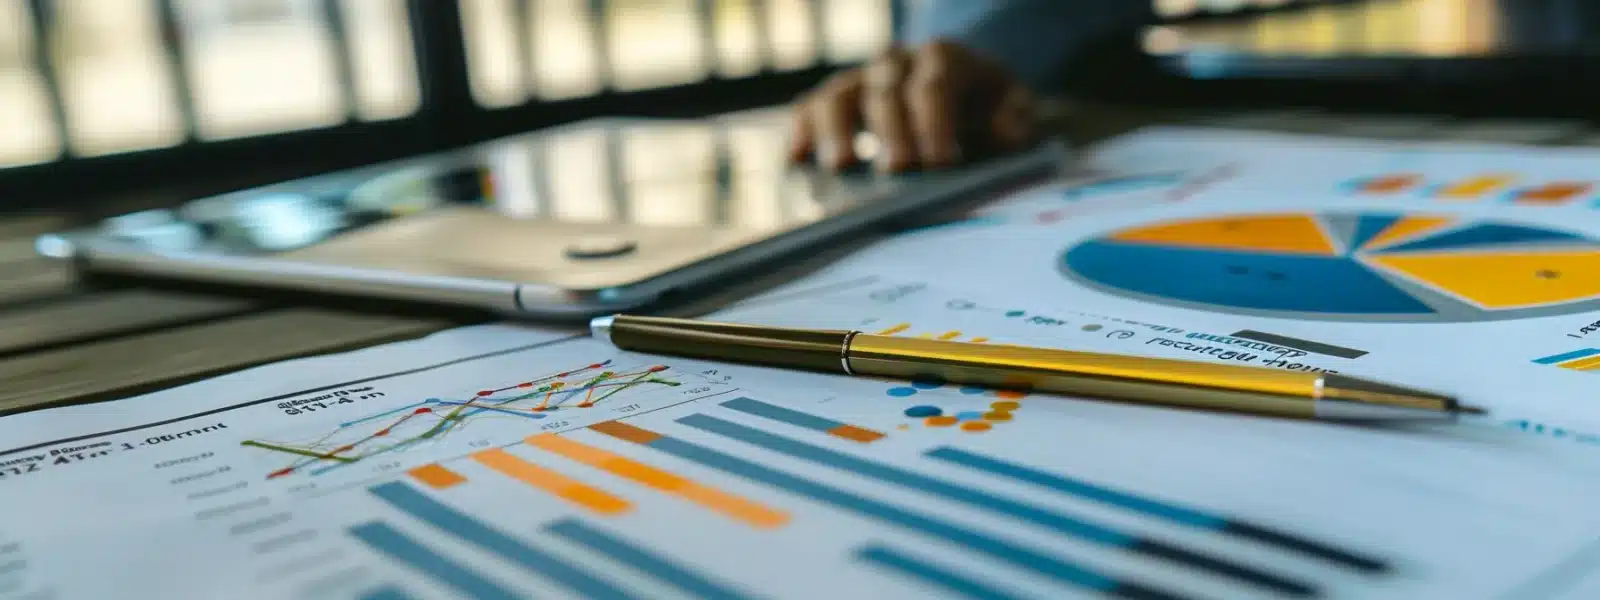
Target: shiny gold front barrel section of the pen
{"points": [[1158, 382]]}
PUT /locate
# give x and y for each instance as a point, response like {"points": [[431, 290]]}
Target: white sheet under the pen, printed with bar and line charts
{"points": [[550, 466]]}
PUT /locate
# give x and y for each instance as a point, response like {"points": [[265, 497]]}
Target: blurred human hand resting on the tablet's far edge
{"points": [[924, 106]]}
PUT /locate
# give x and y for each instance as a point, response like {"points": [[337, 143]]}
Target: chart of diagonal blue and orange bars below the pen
{"points": [[612, 474]]}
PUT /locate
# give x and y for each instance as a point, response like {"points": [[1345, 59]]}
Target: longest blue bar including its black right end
{"points": [[988, 502]]}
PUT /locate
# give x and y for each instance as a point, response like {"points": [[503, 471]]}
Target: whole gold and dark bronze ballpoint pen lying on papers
{"points": [[1126, 378]]}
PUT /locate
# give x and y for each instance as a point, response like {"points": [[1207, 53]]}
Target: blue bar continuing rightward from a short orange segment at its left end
{"points": [[958, 535]]}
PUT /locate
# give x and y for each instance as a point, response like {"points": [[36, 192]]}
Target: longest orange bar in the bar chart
{"points": [[719, 502]]}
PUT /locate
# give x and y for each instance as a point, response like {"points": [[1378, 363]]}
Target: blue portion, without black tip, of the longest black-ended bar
{"points": [[906, 479]]}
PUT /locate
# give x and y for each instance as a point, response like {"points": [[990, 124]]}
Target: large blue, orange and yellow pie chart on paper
{"points": [[1348, 266]]}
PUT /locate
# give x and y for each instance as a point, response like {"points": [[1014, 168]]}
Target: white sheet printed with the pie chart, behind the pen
{"points": [[1407, 263]]}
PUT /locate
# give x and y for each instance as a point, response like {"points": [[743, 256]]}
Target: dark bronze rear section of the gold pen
{"points": [[807, 350]]}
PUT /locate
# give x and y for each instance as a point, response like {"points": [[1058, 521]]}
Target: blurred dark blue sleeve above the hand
{"points": [[1034, 39]]}
